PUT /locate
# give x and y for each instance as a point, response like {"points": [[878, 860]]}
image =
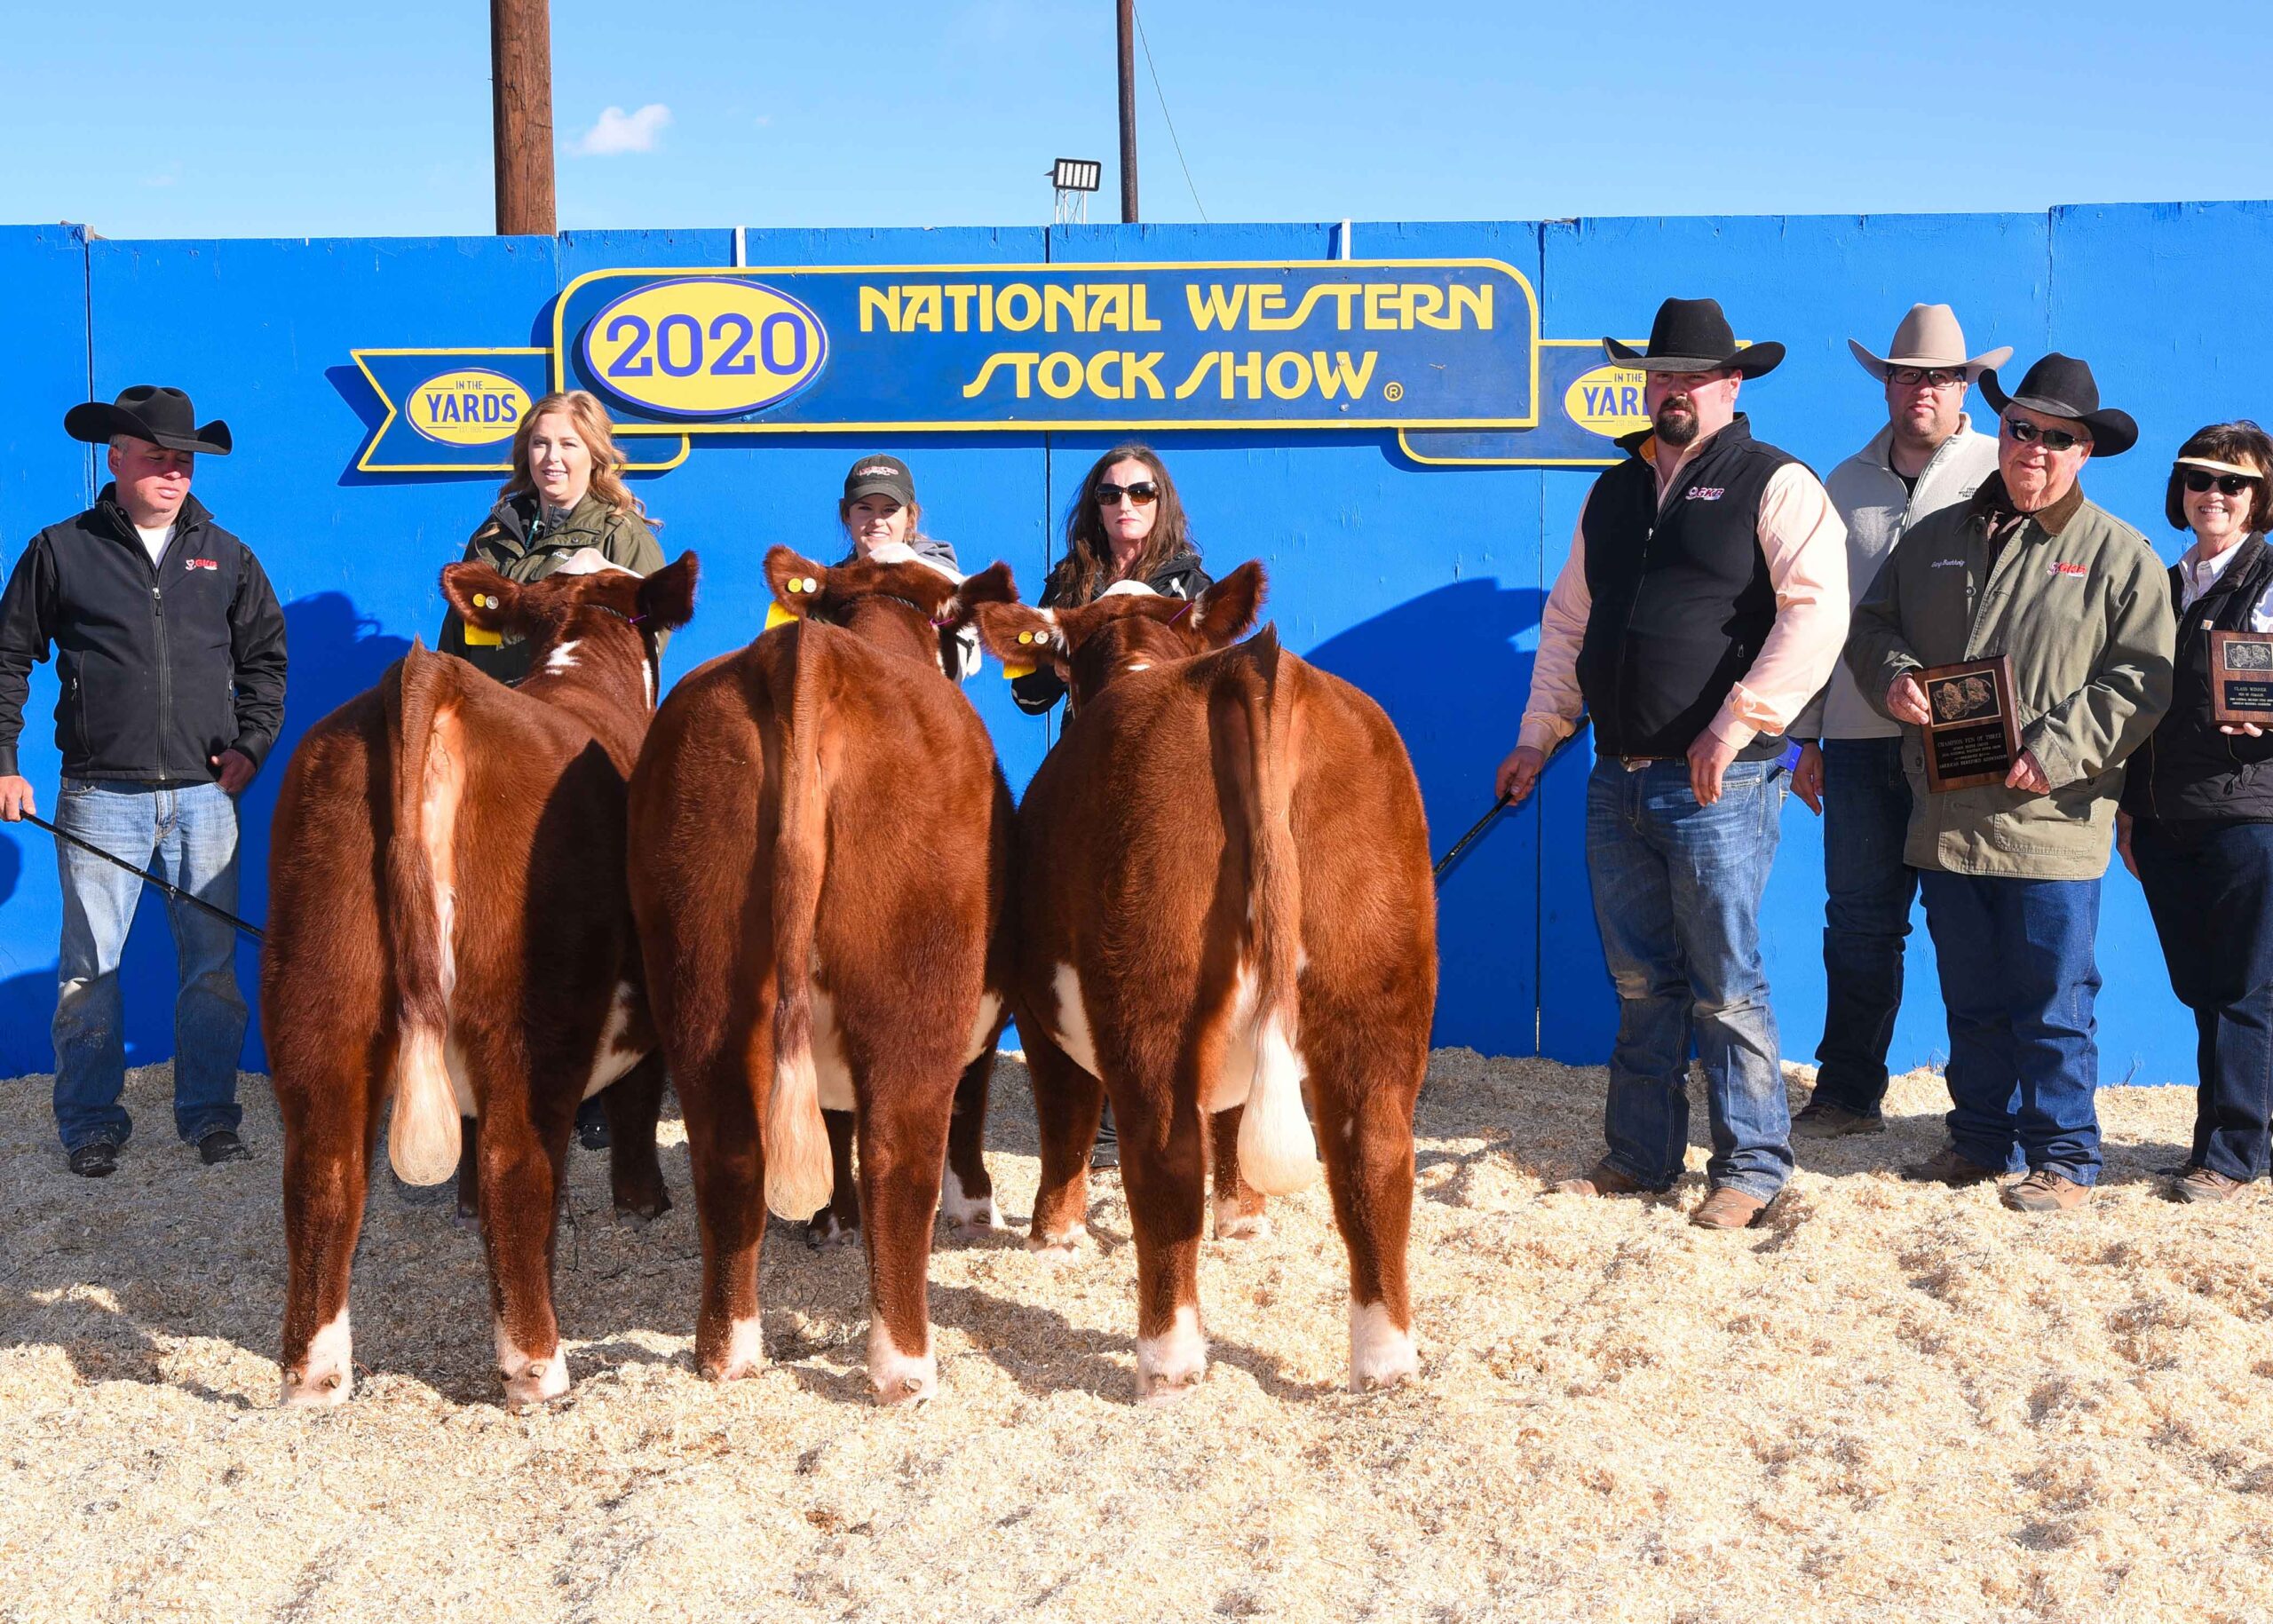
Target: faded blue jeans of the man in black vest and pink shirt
{"points": [[1676, 897]]}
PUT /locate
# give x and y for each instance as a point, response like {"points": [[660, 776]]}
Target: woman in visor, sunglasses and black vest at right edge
{"points": [[2197, 822]]}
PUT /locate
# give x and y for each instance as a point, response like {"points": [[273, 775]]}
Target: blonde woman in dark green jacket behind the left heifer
{"points": [[567, 495]]}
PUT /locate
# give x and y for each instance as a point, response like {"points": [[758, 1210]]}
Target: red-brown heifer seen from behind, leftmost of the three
{"points": [[449, 925]]}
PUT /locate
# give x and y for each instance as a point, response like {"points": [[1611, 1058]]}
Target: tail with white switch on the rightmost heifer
{"points": [[1276, 1147]]}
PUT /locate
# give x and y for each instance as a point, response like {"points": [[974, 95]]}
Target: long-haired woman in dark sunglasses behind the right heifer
{"points": [[1126, 527]]}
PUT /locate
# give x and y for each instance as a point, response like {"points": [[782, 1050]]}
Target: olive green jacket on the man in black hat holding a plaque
{"points": [[2083, 608]]}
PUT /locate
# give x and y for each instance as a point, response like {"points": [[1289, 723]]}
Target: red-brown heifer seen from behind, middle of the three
{"points": [[819, 861]]}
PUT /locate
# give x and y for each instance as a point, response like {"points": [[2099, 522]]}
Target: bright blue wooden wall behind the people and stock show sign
{"points": [[1422, 586]]}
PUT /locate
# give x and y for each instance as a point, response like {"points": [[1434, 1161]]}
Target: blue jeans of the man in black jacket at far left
{"points": [[192, 836]]}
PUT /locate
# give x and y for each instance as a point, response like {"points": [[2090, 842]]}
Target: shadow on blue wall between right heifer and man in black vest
{"points": [[1451, 677]]}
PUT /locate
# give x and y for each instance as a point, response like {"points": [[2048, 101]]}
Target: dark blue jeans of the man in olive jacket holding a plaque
{"points": [[2020, 979]]}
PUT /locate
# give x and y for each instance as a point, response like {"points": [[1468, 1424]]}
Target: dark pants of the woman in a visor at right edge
{"points": [[2210, 888]]}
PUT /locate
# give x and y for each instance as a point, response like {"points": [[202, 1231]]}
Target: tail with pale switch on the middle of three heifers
{"points": [[799, 1170]]}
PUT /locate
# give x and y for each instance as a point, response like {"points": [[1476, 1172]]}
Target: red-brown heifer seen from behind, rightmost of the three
{"points": [[1224, 902]]}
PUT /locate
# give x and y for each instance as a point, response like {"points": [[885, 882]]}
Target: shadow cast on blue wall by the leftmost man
{"points": [[335, 656]]}
